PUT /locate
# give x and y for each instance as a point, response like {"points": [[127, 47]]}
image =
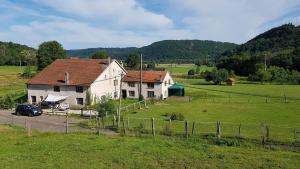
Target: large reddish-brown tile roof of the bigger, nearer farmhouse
{"points": [[81, 72]]}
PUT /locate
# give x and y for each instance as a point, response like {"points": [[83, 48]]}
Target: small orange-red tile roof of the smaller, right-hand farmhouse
{"points": [[148, 76]]}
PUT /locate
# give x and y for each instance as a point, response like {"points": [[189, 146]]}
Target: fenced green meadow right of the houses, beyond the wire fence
{"points": [[247, 104]]}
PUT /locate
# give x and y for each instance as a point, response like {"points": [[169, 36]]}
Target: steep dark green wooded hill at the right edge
{"points": [[280, 46]]}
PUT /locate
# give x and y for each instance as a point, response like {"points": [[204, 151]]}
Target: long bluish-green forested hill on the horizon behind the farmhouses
{"points": [[165, 51]]}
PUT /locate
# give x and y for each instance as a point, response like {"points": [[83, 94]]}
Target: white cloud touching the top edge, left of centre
{"points": [[124, 13]]}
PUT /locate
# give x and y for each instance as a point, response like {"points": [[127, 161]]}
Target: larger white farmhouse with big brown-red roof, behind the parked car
{"points": [[69, 80]]}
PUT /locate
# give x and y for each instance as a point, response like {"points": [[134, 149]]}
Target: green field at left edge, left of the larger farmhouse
{"points": [[10, 80]]}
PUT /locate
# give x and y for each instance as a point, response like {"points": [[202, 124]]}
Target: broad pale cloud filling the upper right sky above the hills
{"points": [[231, 20]]}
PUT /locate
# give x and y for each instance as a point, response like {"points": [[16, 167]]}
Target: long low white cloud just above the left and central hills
{"points": [[75, 34]]}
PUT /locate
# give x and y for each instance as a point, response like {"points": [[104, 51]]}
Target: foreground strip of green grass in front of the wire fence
{"points": [[78, 150]]}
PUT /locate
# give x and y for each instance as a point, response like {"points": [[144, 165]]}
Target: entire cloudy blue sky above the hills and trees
{"points": [[126, 23]]}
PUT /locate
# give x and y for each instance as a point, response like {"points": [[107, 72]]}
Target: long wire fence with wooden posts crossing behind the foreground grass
{"points": [[110, 124]]}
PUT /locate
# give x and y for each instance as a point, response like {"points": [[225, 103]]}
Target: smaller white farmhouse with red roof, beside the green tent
{"points": [[155, 84]]}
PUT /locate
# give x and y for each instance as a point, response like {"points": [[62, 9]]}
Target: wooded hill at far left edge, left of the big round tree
{"points": [[9, 53]]}
